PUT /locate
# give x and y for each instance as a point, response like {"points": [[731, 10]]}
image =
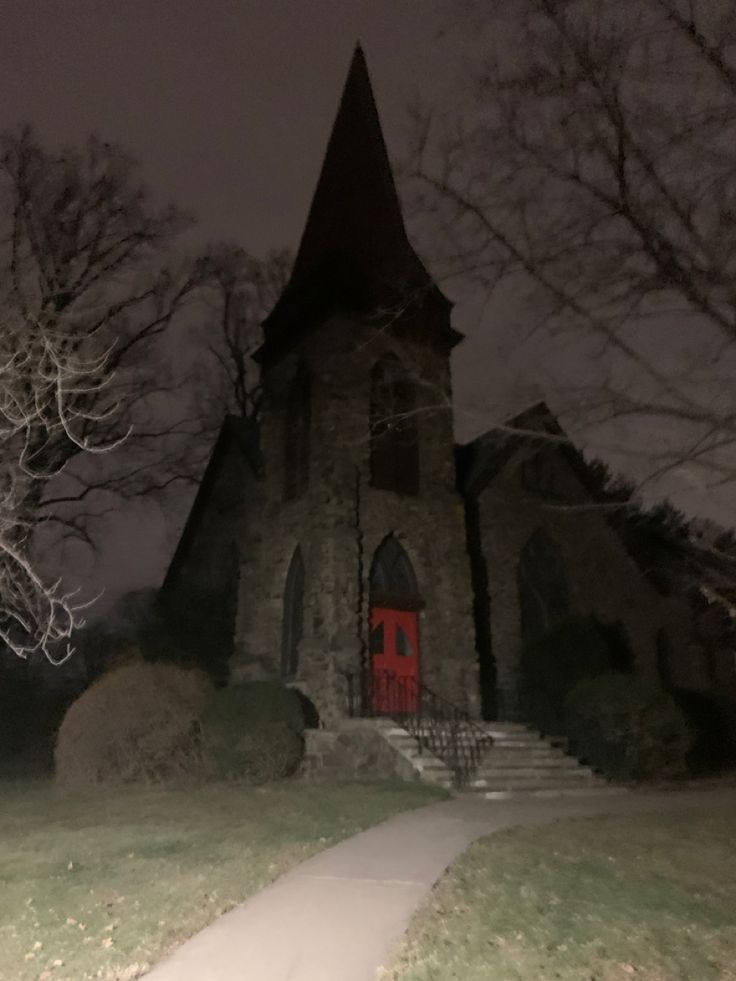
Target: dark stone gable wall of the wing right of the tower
{"points": [[604, 580]]}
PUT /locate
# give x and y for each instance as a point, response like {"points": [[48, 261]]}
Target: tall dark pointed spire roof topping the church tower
{"points": [[354, 253]]}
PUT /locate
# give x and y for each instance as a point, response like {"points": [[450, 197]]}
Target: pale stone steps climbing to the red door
{"points": [[516, 762]]}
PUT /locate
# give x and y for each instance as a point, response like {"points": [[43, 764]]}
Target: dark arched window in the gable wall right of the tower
{"points": [[544, 597]]}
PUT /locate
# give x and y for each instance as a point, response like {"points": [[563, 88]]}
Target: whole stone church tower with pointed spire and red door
{"points": [[353, 559]]}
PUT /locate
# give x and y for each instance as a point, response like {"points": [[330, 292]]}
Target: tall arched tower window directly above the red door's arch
{"points": [[394, 431]]}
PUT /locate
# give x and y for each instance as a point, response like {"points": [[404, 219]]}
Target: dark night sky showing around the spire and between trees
{"points": [[228, 105]]}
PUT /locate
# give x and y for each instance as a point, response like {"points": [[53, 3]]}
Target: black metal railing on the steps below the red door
{"points": [[439, 727]]}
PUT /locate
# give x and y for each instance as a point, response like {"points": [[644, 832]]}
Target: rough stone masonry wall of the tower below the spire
{"points": [[341, 520]]}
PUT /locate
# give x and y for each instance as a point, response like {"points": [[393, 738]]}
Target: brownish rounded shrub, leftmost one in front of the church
{"points": [[137, 723]]}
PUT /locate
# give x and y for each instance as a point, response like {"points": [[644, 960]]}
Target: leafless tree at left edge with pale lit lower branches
{"points": [[87, 295]]}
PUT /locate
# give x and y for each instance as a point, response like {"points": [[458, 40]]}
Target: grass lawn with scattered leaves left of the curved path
{"points": [[102, 886]]}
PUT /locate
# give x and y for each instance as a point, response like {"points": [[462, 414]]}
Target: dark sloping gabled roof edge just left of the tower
{"points": [[235, 432]]}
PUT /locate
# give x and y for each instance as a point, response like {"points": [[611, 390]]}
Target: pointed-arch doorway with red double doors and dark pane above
{"points": [[394, 631]]}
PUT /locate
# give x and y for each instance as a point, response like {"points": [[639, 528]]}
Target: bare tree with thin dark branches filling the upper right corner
{"points": [[592, 169]]}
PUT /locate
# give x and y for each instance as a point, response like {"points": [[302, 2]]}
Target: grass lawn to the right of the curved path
{"points": [[651, 897]]}
